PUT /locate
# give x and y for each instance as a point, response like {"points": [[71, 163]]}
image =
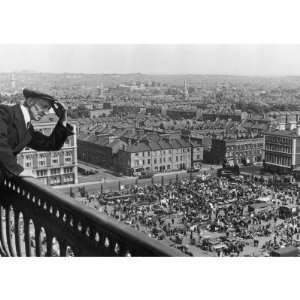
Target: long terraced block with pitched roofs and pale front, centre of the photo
{"points": [[134, 151]]}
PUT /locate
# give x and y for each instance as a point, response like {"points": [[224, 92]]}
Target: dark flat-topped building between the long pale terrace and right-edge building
{"points": [[233, 151]]}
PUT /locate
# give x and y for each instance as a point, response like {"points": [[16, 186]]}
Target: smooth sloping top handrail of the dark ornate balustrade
{"points": [[102, 221]]}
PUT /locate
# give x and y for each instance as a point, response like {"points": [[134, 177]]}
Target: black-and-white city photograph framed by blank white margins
{"points": [[125, 150]]}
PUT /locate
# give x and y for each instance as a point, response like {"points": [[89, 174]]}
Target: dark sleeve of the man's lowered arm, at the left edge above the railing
{"points": [[8, 161]]}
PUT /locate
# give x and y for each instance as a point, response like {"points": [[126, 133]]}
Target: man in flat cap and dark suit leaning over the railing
{"points": [[16, 131]]}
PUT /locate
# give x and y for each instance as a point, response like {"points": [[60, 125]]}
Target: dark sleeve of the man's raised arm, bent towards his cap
{"points": [[53, 142]]}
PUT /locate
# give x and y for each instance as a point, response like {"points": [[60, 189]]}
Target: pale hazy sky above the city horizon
{"points": [[251, 60]]}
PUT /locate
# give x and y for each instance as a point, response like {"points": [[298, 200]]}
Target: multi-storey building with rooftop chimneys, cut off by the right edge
{"points": [[282, 149]]}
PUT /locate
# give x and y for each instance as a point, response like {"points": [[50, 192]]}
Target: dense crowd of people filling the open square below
{"points": [[217, 216]]}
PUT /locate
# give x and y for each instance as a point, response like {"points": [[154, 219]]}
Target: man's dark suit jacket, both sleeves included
{"points": [[14, 137]]}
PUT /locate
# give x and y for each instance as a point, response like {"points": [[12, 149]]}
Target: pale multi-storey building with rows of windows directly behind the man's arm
{"points": [[52, 167]]}
